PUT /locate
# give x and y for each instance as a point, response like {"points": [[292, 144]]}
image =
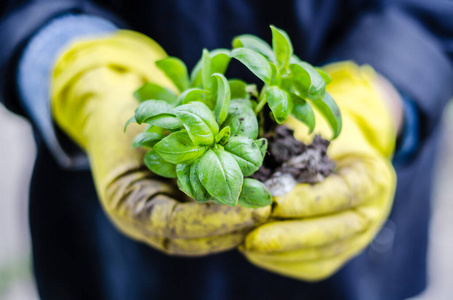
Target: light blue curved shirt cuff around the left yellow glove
{"points": [[35, 71]]}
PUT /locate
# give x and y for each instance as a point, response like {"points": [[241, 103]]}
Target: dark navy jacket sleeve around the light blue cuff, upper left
{"points": [[20, 21]]}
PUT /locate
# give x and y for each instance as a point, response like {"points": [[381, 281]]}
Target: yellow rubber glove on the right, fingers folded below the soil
{"points": [[317, 228]]}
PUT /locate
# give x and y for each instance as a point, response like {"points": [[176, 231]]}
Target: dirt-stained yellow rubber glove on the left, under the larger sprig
{"points": [[92, 88]]}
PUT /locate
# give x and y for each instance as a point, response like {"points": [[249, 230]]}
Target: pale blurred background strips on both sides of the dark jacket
{"points": [[17, 154]]}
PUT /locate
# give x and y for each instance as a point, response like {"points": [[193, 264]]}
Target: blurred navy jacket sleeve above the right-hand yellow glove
{"points": [[411, 43]]}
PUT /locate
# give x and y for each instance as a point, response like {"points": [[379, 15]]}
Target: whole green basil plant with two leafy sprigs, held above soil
{"points": [[206, 136]]}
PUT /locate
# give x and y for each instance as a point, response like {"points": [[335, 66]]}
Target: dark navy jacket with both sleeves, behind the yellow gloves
{"points": [[77, 253]]}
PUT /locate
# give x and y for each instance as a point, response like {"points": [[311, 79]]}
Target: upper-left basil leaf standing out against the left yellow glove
{"points": [[176, 71]]}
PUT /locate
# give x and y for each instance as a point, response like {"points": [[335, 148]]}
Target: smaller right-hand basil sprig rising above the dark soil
{"points": [[291, 86]]}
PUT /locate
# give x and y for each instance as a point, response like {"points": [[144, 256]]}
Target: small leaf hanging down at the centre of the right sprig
{"points": [[280, 103]]}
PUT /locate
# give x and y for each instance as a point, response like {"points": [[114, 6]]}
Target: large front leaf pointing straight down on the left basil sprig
{"points": [[220, 174]]}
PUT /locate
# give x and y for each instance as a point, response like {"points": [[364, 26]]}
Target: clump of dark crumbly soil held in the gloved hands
{"points": [[290, 161]]}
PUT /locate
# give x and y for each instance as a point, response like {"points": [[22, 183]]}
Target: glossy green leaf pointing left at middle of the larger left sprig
{"points": [[177, 148]]}
